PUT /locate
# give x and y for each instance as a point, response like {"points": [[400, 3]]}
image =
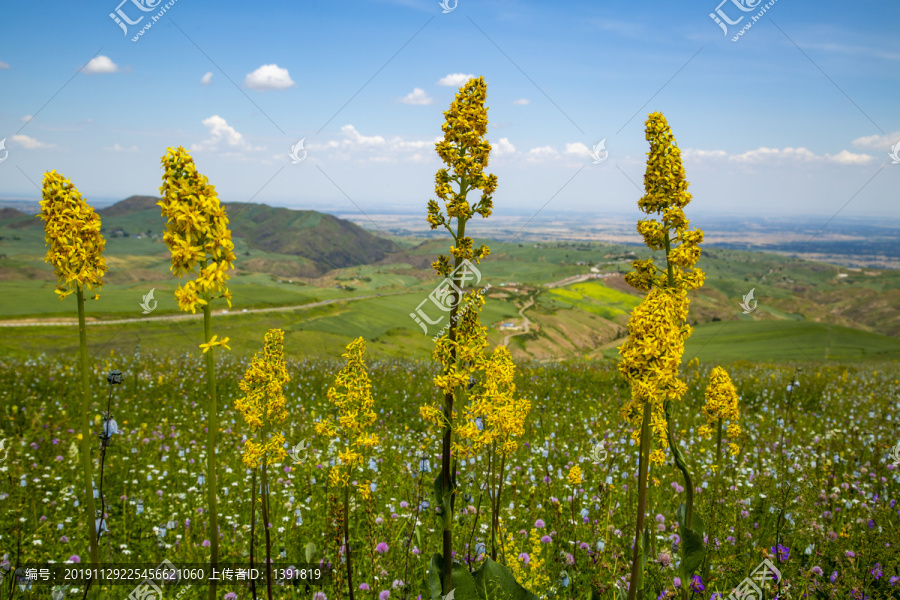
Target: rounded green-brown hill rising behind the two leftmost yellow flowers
{"points": [[321, 241]]}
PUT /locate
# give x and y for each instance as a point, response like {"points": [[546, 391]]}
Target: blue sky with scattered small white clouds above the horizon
{"points": [[796, 117]]}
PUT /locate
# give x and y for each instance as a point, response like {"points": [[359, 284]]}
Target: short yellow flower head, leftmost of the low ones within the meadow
{"points": [[263, 405]]}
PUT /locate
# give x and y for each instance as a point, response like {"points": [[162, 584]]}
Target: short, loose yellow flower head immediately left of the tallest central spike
{"points": [[352, 396]]}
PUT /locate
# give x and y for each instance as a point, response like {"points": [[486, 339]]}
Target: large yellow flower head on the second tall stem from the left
{"points": [[197, 233]]}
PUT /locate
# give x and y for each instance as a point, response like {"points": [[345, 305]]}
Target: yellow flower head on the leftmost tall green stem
{"points": [[72, 232]]}
